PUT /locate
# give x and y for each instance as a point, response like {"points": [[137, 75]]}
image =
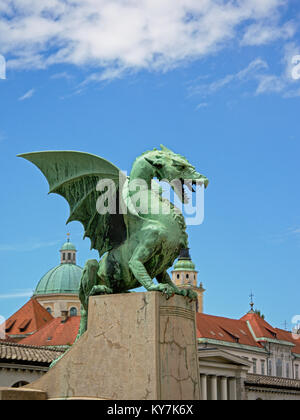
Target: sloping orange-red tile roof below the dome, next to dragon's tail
{"points": [[55, 333]]}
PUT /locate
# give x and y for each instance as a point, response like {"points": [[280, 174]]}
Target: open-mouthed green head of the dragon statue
{"points": [[176, 170]]}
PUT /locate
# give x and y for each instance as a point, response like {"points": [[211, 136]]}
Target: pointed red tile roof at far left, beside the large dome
{"points": [[28, 319]]}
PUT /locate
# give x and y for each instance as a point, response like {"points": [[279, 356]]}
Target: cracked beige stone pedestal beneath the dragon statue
{"points": [[138, 346]]}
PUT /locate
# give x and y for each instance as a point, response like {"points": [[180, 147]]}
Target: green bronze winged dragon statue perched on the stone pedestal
{"points": [[138, 239]]}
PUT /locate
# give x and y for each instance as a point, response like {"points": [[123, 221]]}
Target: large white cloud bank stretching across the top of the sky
{"points": [[129, 35]]}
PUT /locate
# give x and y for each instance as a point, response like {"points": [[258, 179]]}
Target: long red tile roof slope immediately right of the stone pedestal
{"points": [[224, 329]]}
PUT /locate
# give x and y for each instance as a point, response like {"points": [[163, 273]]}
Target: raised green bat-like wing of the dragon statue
{"points": [[75, 176]]}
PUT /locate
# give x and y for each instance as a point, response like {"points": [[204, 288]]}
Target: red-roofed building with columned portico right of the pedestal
{"points": [[262, 361]]}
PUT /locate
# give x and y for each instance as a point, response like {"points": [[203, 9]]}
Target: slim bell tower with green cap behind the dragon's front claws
{"points": [[185, 275]]}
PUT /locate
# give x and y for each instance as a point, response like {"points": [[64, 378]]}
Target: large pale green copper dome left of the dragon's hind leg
{"points": [[65, 278]]}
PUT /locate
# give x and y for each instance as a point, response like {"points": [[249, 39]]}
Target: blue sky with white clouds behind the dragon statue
{"points": [[212, 80]]}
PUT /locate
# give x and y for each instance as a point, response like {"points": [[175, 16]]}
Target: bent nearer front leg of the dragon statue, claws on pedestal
{"points": [[141, 255]]}
